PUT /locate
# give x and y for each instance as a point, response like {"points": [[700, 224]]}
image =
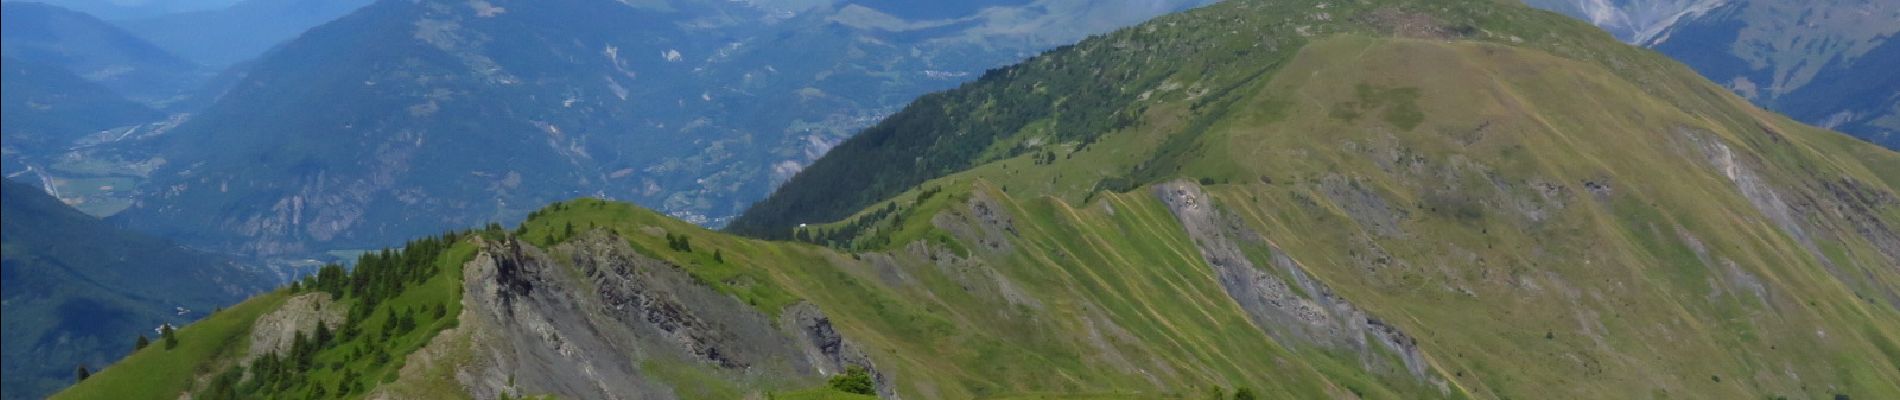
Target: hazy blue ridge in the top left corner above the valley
{"points": [[98, 52]]}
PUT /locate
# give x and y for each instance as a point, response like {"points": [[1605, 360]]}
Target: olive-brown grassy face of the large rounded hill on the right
{"points": [[1627, 302]]}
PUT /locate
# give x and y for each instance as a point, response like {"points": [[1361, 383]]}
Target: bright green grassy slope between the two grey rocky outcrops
{"points": [[1179, 333]]}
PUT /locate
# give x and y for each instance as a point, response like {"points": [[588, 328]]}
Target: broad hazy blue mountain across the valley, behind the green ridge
{"points": [[408, 118]]}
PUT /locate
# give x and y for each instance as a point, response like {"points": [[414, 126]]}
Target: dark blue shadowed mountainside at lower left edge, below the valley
{"points": [[81, 293]]}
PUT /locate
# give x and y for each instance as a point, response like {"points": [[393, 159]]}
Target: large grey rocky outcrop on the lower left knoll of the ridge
{"points": [[586, 319]]}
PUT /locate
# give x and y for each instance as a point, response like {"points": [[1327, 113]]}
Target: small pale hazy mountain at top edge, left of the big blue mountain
{"points": [[238, 33]]}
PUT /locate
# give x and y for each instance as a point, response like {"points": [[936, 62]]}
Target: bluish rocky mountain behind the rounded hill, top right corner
{"points": [[1825, 62]]}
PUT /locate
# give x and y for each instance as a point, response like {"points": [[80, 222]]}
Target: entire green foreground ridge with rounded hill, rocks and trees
{"points": [[1297, 200]]}
